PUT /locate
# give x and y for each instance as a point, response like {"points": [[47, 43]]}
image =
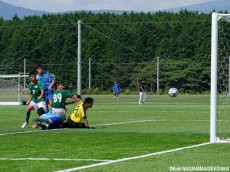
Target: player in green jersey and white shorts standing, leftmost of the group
{"points": [[36, 99]]}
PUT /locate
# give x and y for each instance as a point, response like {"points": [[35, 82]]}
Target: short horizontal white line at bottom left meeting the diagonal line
{"points": [[51, 159]]}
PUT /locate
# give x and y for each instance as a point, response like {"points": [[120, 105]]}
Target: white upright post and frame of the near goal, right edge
{"points": [[215, 58]]}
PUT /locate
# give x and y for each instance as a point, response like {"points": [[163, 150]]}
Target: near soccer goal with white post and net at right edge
{"points": [[220, 79]]}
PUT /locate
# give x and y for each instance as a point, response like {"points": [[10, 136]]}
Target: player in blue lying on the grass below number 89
{"points": [[52, 121]]}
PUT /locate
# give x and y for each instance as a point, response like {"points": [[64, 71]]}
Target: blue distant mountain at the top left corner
{"points": [[7, 11]]}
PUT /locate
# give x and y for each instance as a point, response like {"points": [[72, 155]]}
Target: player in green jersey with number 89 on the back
{"points": [[59, 98]]}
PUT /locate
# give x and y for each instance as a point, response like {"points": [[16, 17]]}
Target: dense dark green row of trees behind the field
{"points": [[122, 47]]}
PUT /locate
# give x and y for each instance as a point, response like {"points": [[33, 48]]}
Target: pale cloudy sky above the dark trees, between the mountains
{"points": [[71, 5]]}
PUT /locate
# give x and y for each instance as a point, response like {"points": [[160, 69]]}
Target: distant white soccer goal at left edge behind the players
{"points": [[12, 89]]}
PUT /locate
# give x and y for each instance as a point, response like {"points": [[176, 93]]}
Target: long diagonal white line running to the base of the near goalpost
{"points": [[132, 158]]}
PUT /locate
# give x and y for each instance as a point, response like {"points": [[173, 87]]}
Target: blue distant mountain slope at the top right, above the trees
{"points": [[206, 7]]}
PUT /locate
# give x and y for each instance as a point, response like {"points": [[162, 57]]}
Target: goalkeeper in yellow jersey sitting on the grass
{"points": [[79, 115]]}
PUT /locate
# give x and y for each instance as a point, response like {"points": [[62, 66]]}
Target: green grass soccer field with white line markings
{"points": [[127, 137]]}
